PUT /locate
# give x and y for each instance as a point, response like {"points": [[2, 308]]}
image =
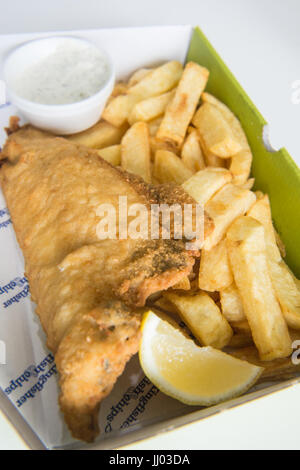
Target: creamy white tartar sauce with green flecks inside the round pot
{"points": [[69, 74]]}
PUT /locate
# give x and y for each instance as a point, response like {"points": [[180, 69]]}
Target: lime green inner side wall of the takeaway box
{"points": [[275, 173]]}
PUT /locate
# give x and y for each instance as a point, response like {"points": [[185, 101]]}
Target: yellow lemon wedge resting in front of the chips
{"points": [[191, 374]]}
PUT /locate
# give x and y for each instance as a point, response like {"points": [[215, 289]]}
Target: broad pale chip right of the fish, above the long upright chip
{"points": [[223, 208]]}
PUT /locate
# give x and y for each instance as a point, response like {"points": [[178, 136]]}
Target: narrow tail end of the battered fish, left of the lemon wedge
{"points": [[90, 359]]}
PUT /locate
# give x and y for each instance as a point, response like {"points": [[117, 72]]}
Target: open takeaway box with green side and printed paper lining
{"points": [[136, 409]]}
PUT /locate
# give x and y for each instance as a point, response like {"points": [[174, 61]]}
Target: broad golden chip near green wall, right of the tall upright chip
{"points": [[216, 134]]}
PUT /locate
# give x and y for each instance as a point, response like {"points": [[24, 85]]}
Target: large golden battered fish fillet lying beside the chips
{"points": [[87, 291]]}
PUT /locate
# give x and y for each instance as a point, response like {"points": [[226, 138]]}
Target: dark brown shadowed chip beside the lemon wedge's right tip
{"points": [[276, 370]]}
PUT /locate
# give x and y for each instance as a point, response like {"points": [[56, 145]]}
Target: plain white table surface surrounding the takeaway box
{"points": [[260, 42]]}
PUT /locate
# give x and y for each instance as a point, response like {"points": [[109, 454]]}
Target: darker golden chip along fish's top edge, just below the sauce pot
{"points": [[99, 136]]}
